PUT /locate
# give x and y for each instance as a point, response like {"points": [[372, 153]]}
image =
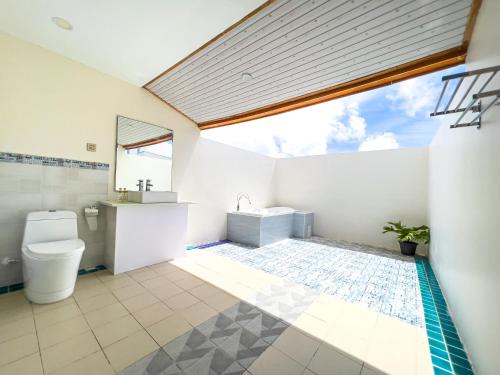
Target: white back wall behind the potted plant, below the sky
{"points": [[353, 195]]}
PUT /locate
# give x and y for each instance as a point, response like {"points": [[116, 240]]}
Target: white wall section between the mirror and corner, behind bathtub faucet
{"points": [[217, 173]]}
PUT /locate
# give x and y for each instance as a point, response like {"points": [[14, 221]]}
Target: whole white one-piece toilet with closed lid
{"points": [[51, 254]]}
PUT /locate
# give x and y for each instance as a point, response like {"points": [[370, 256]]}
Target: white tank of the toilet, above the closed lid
{"points": [[46, 226]]}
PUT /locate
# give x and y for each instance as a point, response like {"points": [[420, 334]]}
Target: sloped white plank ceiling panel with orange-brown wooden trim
{"points": [[292, 53]]}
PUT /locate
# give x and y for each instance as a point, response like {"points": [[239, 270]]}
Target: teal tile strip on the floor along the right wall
{"points": [[448, 355]]}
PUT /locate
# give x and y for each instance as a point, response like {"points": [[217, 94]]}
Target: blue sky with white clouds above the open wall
{"points": [[390, 117]]}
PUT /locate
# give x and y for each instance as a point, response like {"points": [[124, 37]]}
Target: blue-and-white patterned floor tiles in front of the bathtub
{"points": [[382, 280]]}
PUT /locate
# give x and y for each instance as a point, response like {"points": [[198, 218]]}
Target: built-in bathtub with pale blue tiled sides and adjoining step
{"points": [[263, 226]]}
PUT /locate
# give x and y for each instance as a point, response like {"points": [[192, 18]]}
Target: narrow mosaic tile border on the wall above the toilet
{"points": [[9, 157]]}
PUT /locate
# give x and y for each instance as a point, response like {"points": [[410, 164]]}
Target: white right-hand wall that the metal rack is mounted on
{"points": [[464, 207]]}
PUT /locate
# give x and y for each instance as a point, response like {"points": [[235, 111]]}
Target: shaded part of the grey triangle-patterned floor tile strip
{"points": [[228, 344]]}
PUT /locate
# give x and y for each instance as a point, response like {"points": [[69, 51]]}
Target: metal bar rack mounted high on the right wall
{"points": [[480, 78]]}
